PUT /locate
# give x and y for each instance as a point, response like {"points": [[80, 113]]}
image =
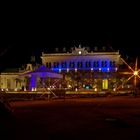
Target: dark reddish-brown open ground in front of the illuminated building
{"points": [[112, 118]]}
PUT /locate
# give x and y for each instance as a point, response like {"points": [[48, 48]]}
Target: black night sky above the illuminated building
{"points": [[27, 34]]}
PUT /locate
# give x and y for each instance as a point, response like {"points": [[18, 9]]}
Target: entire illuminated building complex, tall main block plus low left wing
{"points": [[79, 69]]}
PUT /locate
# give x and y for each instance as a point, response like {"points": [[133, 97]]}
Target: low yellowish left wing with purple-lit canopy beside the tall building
{"points": [[30, 78]]}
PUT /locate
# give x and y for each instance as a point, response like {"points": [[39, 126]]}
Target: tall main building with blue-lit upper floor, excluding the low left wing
{"points": [[83, 69]]}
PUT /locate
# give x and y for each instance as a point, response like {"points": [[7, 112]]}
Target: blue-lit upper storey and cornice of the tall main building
{"points": [[80, 58]]}
